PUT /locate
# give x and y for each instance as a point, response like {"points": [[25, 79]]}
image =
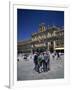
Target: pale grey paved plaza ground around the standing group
{"points": [[25, 70]]}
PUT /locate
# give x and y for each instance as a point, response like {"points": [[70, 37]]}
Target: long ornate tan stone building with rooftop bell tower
{"points": [[43, 39]]}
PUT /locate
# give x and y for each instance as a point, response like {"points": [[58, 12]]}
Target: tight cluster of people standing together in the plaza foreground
{"points": [[41, 62]]}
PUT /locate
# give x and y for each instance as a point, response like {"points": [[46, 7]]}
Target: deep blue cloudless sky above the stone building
{"points": [[28, 21]]}
